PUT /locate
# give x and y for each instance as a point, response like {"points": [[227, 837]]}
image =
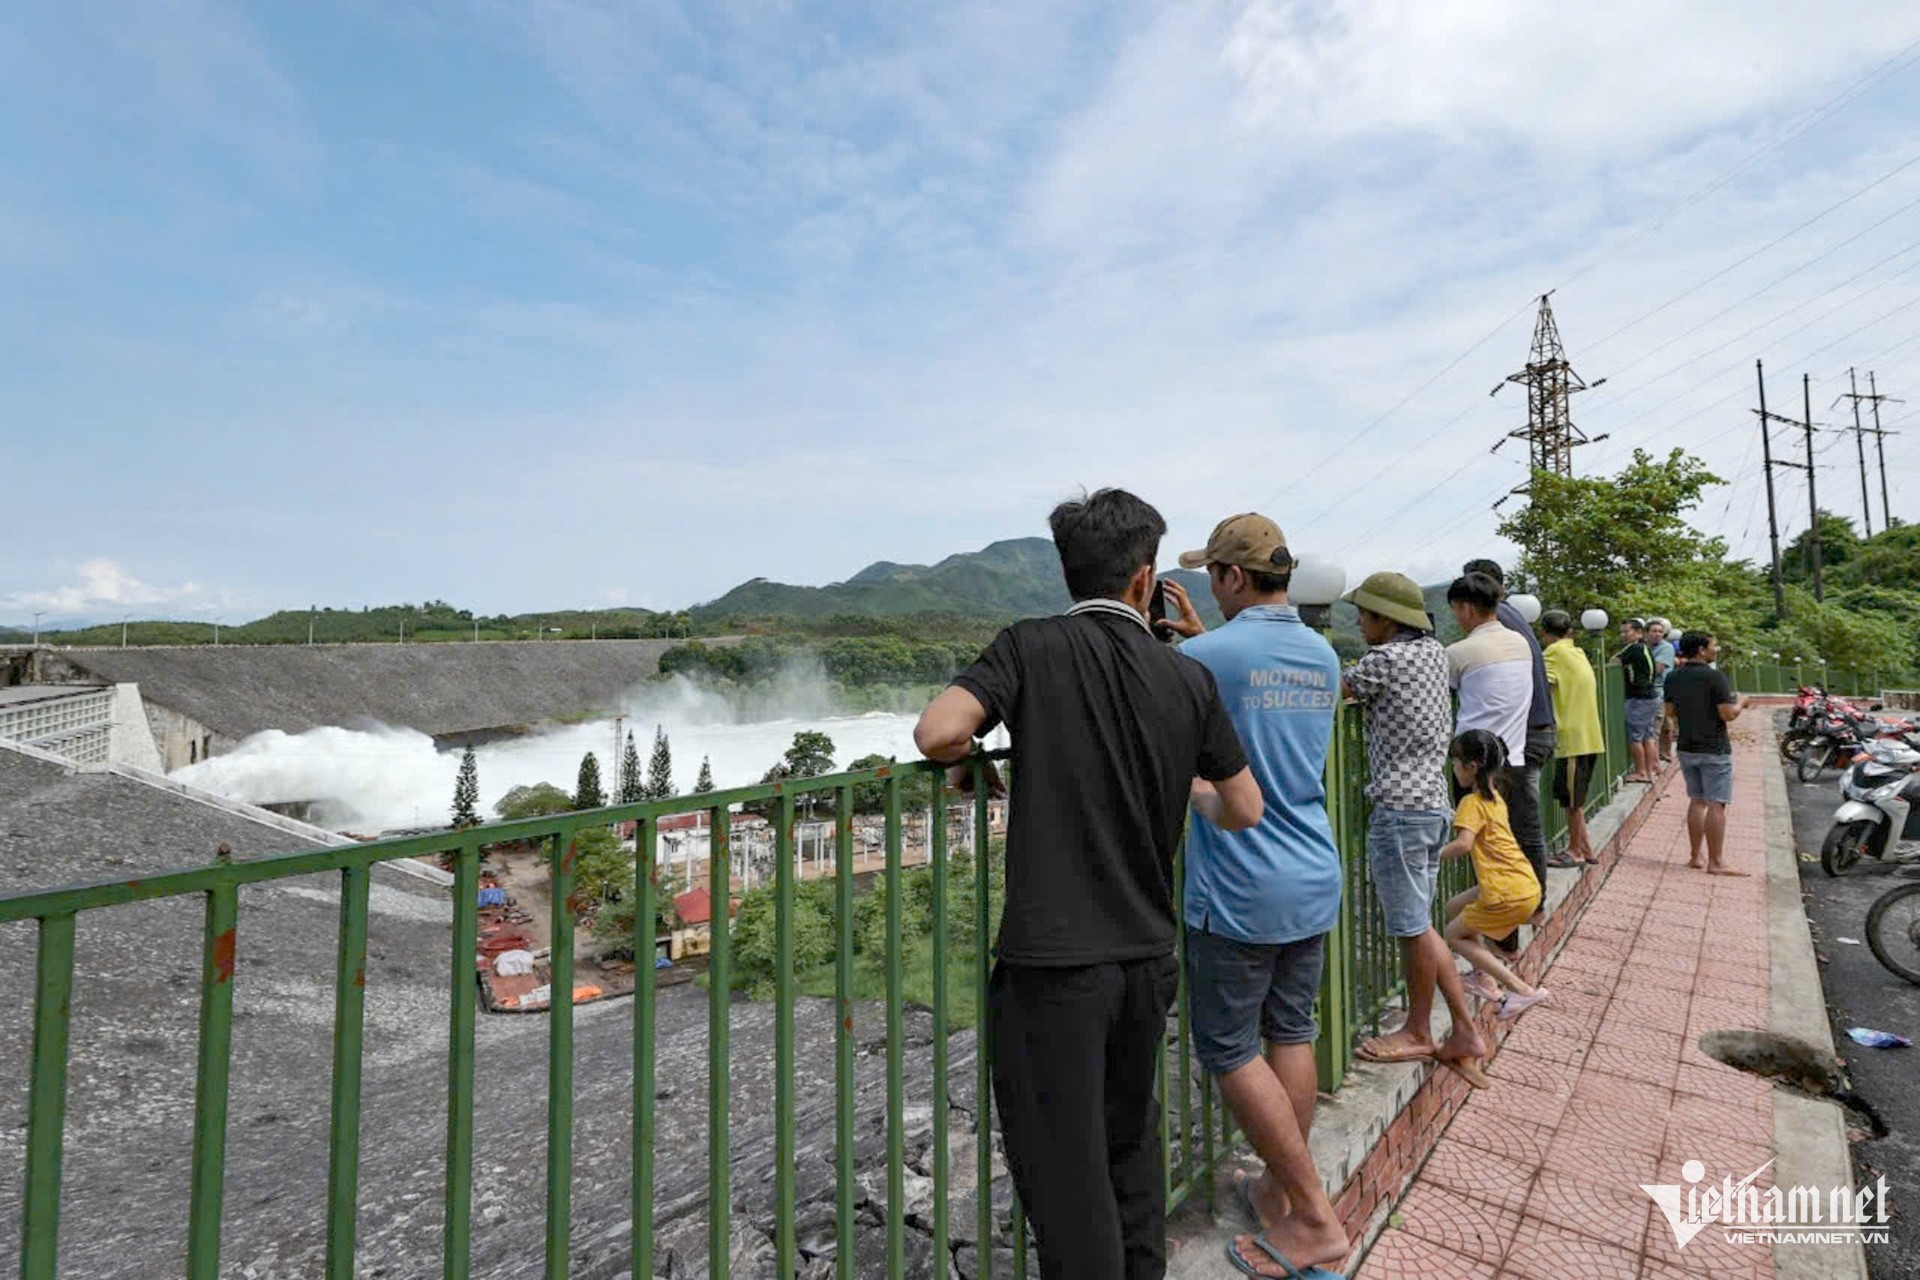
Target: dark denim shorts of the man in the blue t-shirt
{"points": [[1241, 993]]}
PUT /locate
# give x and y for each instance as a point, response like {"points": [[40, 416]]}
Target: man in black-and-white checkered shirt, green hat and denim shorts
{"points": [[1403, 684]]}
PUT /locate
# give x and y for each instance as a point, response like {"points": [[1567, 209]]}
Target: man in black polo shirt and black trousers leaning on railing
{"points": [[1111, 732]]}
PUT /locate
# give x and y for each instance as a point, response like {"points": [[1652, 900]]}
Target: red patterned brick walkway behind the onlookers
{"points": [[1606, 1089]]}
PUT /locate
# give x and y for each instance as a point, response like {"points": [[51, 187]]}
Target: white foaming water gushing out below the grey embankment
{"points": [[385, 778]]}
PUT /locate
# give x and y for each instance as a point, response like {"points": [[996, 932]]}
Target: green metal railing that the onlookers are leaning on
{"points": [[1362, 982]]}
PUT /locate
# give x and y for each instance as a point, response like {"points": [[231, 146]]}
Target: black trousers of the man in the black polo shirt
{"points": [[1074, 1058]]}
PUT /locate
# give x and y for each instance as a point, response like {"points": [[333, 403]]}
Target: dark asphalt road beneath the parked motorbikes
{"points": [[1860, 993]]}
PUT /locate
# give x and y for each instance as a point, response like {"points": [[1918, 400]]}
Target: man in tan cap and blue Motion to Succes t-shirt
{"points": [[1260, 901]]}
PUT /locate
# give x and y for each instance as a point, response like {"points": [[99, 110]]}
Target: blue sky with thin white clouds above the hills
{"points": [[539, 304]]}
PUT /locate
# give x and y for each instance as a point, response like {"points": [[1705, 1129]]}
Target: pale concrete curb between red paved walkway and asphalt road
{"points": [[1810, 1135]]}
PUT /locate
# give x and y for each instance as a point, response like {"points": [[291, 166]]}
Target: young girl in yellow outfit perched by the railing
{"points": [[1508, 891]]}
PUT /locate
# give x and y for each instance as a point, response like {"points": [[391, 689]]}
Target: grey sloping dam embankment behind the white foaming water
{"points": [[431, 688]]}
